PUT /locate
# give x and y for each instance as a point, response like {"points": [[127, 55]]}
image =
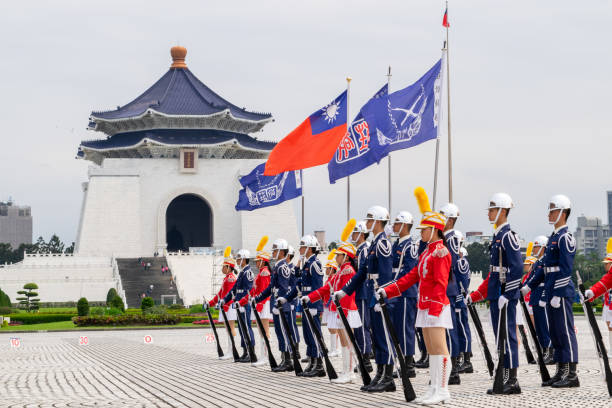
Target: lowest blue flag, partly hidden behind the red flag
{"points": [[260, 191]]}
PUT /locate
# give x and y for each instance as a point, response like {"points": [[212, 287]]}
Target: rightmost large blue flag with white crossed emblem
{"points": [[407, 117]]}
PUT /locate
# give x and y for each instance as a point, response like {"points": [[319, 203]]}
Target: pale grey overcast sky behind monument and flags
{"points": [[530, 86]]}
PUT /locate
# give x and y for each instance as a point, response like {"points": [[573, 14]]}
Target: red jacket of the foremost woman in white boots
{"points": [[432, 273]]}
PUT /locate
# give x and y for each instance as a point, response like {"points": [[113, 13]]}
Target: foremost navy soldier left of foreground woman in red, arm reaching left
{"points": [[378, 272]]}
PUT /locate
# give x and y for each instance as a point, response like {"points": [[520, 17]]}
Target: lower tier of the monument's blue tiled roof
{"points": [[178, 137]]}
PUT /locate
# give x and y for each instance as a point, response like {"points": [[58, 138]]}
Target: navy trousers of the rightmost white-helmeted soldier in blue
{"points": [[562, 332]]}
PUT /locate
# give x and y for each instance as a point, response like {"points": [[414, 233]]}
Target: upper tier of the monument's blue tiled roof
{"points": [[179, 92]]}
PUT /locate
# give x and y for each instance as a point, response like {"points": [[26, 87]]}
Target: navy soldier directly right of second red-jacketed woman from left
{"points": [[279, 286]]}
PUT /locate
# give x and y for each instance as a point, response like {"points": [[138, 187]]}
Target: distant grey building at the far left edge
{"points": [[15, 224]]}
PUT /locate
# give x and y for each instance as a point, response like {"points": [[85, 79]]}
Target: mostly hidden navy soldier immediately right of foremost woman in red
{"points": [[463, 327]]}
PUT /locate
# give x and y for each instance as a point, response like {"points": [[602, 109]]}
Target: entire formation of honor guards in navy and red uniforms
{"points": [[383, 299]]}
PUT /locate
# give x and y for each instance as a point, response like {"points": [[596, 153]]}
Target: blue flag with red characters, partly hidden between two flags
{"points": [[354, 152]]}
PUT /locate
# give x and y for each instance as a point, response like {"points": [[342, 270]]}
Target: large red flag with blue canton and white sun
{"points": [[312, 143]]}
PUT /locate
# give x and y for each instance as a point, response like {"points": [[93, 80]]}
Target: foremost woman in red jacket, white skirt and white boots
{"points": [[434, 311]]}
